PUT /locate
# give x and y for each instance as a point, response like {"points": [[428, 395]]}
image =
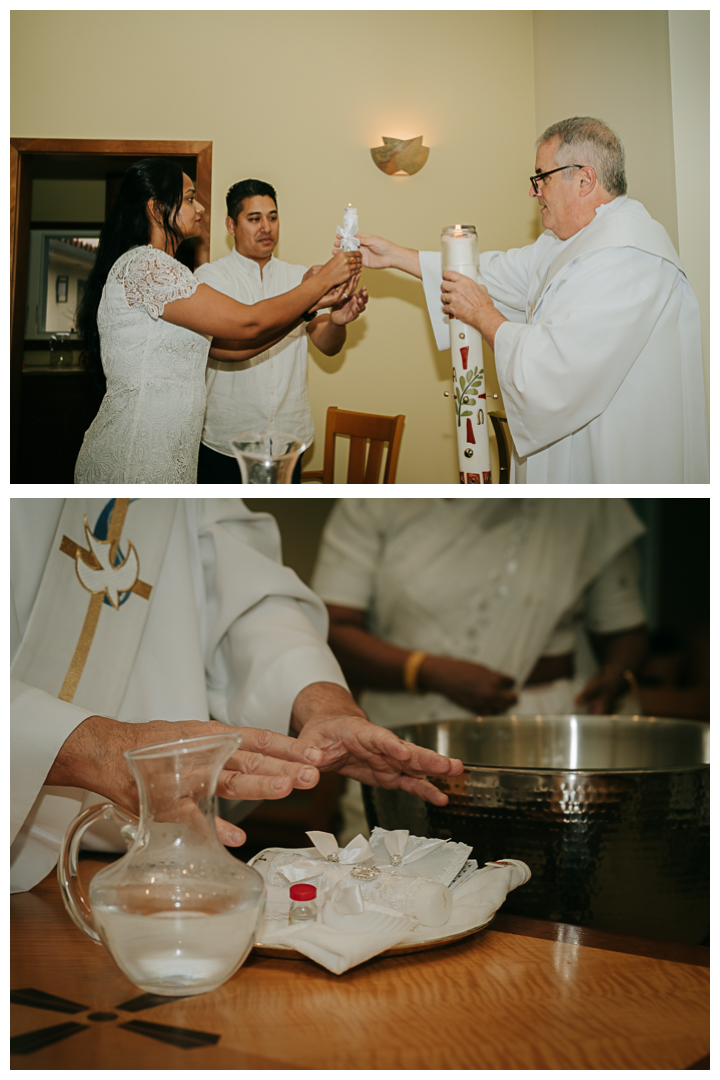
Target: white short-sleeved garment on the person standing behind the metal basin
{"points": [[496, 582]]}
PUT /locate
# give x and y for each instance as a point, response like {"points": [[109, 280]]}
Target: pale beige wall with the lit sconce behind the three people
{"points": [[297, 99]]}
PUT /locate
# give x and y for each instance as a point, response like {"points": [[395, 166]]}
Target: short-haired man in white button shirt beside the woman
{"points": [[266, 388]]}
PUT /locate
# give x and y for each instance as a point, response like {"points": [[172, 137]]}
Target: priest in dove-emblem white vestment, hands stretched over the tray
{"points": [[143, 622]]}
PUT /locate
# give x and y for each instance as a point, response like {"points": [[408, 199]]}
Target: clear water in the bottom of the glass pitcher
{"points": [[178, 952]]}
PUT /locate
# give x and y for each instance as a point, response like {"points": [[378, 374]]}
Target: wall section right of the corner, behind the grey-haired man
{"points": [[648, 75]]}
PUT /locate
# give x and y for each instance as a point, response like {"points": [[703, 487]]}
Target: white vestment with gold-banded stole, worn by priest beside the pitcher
{"points": [[228, 633]]}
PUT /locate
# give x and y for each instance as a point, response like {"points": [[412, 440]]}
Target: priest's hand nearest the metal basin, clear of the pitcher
{"points": [[329, 720]]}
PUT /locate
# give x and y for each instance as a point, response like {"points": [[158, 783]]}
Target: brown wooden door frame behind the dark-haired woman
{"points": [[22, 152]]}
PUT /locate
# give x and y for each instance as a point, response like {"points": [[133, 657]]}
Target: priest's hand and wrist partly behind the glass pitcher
{"points": [[267, 766]]}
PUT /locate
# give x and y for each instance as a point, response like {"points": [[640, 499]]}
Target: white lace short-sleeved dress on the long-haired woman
{"points": [[148, 427]]}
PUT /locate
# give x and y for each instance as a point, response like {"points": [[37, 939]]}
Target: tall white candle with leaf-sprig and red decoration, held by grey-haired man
{"points": [[459, 253]]}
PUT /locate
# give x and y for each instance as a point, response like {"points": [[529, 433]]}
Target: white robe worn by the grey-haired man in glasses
{"points": [[601, 364]]}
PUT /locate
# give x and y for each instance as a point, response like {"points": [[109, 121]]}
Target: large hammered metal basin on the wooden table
{"points": [[612, 814]]}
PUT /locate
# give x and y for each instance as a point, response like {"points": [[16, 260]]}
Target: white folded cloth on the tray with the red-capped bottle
{"points": [[357, 929]]}
